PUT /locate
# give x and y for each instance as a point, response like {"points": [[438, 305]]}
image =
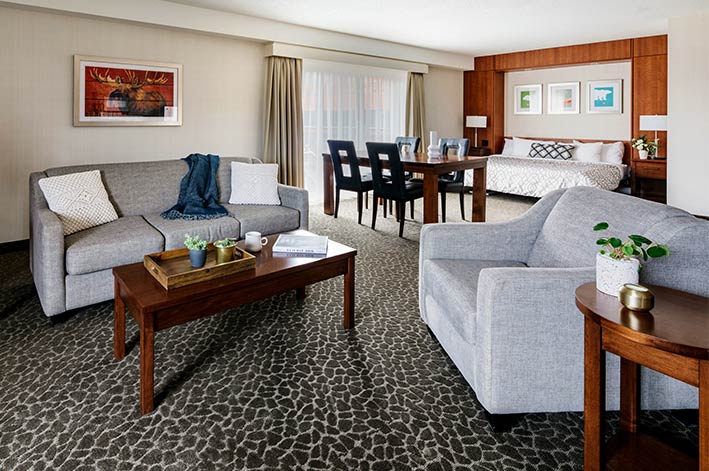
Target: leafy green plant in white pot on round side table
{"points": [[618, 261]]}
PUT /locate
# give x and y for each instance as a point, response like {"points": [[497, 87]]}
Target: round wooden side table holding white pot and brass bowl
{"points": [[673, 339]]}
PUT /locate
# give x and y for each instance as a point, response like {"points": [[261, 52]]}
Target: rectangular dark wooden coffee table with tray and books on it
{"points": [[154, 308]]}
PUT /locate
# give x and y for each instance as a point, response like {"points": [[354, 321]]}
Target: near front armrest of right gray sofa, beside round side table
{"points": [[528, 337]]}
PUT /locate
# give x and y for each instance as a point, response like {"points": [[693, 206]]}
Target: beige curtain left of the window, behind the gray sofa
{"points": [[283, 118]]}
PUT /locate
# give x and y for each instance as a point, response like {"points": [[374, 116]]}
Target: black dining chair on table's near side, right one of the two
{"points": [[395, 187]]}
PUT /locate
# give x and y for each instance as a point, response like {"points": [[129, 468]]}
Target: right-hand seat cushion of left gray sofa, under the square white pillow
{"points": [[265, 219]]}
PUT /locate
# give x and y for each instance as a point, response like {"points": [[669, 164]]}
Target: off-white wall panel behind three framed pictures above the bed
{"points": [[583, 125]]}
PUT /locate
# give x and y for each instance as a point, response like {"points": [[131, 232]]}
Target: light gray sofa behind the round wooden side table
{"points": [[499, 297]]}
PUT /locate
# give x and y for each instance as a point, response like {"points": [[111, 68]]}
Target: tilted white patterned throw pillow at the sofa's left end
{"points": [[79, 200]]}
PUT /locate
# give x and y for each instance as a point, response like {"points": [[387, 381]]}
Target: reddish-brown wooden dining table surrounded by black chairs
{"points": [[431, 167]]}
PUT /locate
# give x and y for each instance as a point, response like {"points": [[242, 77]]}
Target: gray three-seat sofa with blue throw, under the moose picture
{"points": [[75, 271]]}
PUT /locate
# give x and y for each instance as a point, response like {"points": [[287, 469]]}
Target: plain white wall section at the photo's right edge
{"points": [[688, 114]]}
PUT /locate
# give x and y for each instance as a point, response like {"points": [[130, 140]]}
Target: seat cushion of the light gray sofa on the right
{"points": [[459, 279]]}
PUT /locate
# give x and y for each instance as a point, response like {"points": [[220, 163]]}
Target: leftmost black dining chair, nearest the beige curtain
{"points": [[355, 181]]}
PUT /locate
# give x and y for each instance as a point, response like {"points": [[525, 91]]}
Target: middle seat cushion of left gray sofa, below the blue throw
{"points": [[174, 230]]}
